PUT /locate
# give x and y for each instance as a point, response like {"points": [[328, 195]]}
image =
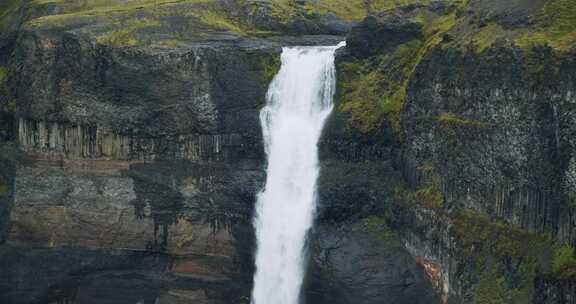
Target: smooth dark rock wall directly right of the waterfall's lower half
{"points": [[355, 255]]}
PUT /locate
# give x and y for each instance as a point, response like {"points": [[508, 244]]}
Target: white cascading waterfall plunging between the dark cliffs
{"points": [[299, 101]]}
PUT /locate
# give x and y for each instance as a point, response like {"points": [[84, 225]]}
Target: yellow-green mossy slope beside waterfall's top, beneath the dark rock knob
{"points": [[374, 90]]}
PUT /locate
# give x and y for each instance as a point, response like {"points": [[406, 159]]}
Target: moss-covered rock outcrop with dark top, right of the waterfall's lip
{"points": [[374, 79]]}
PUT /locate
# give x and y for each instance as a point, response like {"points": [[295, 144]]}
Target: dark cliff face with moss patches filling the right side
{"points": [[478, 109]]}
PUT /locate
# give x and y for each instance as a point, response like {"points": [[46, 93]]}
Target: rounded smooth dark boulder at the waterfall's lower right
{"points": [[353, 266]]}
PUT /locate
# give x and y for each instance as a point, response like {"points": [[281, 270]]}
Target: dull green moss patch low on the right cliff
{"points": [[493, 247]]}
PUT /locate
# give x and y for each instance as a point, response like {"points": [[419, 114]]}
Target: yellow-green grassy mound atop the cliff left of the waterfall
{"points": [[118, 22]]}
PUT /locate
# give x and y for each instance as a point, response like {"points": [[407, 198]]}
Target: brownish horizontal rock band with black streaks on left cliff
{"points": [[176, 208]]}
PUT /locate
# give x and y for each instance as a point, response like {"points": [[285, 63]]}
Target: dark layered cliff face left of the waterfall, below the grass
{"points": [[135, 165]]}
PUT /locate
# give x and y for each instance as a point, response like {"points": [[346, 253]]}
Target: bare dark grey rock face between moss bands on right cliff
{"points": [[509, 152]]}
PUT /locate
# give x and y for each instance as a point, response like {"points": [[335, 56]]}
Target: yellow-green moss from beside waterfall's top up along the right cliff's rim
{"points": [[373, 90]]}
